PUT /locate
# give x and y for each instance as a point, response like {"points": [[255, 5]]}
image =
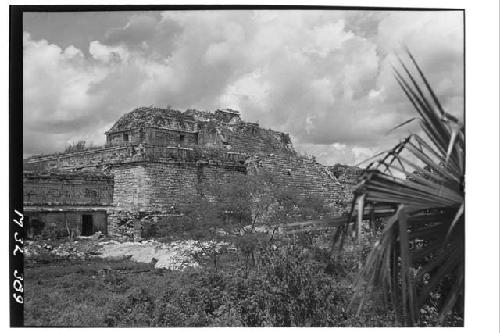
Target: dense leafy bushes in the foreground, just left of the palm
{"points": [[287, 289]]}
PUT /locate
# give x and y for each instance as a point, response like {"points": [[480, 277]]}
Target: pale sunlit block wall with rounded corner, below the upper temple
{"points": [[143, 189]]}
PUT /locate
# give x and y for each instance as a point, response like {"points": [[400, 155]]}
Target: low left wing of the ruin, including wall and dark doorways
{"points": [[56, 204]]}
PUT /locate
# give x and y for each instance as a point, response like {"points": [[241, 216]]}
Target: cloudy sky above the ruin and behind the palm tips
{"points": [[324, 77]]}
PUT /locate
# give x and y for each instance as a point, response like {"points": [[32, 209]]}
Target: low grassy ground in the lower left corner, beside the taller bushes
{"points": [[78, 293]]}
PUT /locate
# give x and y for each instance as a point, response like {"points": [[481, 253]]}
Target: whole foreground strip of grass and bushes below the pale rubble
{"points": [[292, 285]]}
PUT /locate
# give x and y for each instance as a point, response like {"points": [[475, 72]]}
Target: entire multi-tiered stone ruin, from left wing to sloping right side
{"points": [[153, 162]]}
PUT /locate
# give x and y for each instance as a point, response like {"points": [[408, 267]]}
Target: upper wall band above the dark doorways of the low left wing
{"points": [[73, 189]]}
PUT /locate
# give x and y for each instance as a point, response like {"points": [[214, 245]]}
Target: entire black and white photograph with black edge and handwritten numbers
{"points": [[225, 166]]}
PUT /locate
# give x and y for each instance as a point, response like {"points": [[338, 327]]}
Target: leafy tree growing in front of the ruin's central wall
{"points": [[240, 209]]}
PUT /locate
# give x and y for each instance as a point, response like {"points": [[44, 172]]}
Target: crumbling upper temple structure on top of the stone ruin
{"points": [[192, 128]]}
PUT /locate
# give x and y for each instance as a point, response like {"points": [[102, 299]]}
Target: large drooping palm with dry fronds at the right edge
{"points": [[421, 183]]}
